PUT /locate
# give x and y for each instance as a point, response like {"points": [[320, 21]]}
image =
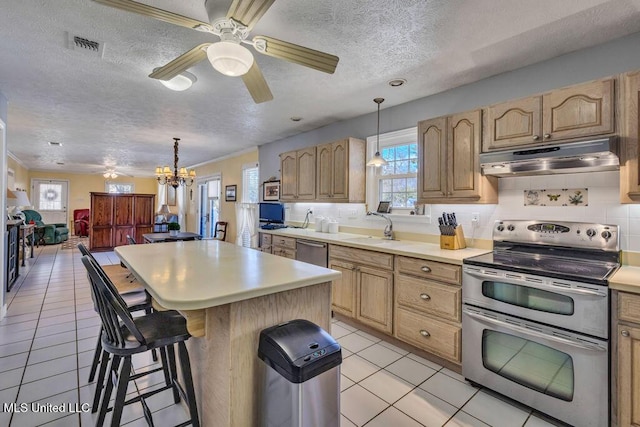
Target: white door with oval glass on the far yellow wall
{"points": [[50, 198]]}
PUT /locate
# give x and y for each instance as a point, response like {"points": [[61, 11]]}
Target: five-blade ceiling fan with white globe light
{"points": [[228, 55]]}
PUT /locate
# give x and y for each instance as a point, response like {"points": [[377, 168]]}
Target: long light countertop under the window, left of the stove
{"points": [[410, 248]]}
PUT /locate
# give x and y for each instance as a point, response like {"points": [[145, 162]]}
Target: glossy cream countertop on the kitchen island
{"points": [[207, 273]]}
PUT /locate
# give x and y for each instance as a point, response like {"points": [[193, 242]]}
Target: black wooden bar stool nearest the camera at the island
{"points": [[123, 336]]}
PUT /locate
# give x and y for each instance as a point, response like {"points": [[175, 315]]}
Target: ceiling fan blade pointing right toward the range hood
{"points": [[301, 55]]}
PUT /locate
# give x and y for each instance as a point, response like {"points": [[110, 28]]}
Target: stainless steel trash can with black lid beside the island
{"points": [[302, 381]]}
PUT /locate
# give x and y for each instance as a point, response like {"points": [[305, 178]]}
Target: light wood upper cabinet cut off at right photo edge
{"points": [[630, 139]]}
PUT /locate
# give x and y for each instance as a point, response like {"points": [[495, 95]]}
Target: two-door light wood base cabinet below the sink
{"points": [[365, 291]]}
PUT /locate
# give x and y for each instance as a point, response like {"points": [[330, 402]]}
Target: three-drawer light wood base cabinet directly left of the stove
{"points": [[428, 306]]}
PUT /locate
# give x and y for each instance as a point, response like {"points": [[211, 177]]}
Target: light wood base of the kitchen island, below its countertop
{"points": [[227, 373]]}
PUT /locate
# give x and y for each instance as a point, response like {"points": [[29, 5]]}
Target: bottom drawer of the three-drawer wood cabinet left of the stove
{"points": [[439, 338]]}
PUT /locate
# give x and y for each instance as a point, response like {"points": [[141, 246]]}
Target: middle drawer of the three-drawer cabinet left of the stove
{"points": [[429, 297]]}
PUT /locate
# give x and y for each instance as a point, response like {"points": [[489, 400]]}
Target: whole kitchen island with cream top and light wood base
{"points": [[229, 294]]}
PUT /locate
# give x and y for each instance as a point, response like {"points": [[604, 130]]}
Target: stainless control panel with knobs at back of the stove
{"points": [[559, 233]]}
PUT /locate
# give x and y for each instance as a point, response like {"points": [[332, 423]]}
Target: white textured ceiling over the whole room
{"points": [[106, 111]]}
